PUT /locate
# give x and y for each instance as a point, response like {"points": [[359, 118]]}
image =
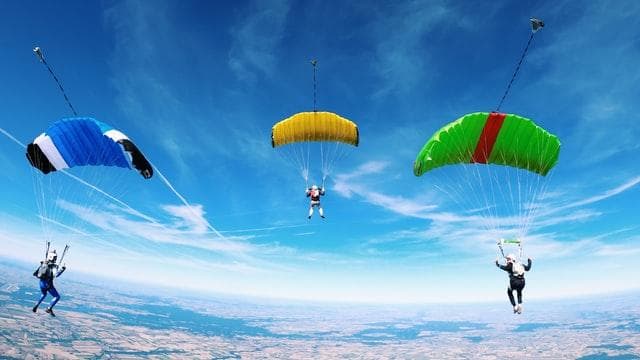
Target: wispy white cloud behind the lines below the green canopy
{"points": [[478, 229]]}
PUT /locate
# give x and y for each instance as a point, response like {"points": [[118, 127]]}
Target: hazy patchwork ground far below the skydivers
{"points": [[97, 322]]}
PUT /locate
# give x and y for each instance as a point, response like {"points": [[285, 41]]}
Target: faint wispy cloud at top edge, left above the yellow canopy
{"points": [[255, 40]]}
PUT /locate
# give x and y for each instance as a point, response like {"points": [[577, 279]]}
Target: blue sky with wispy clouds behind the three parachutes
{"points": [[198, 85]]}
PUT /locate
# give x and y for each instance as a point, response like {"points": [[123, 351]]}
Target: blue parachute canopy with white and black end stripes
{"points": [[85, 141]]}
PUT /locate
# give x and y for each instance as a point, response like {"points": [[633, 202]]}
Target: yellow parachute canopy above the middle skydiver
{"points": [[314, 126]]}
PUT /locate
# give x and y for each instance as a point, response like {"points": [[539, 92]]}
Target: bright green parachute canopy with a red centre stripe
{"points": [[490, 138]]}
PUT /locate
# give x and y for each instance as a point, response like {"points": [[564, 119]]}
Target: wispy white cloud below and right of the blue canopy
{"points": [[183, 231]]}
